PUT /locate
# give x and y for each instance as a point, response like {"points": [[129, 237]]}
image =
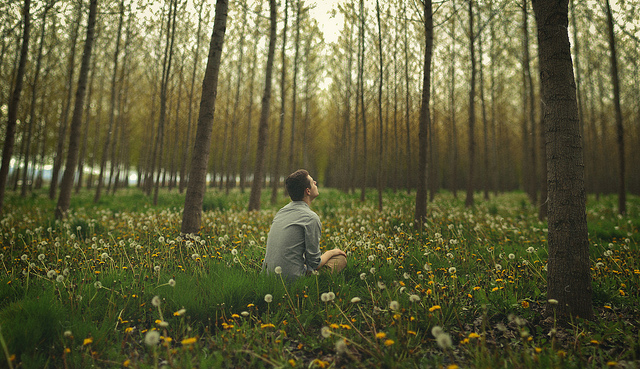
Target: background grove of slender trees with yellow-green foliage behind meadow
{"points": [[348, 109]]}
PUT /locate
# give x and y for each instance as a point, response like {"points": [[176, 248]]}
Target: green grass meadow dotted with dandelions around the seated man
{"points": [[84, 295]]}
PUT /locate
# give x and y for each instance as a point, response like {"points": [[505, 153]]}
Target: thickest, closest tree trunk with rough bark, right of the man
{"points": [[569, 275]]}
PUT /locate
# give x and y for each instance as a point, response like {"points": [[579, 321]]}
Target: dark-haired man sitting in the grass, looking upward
{"points": [[293, 243]]}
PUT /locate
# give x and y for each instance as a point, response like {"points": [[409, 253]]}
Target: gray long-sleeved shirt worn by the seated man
{"points": [[293, 242]]}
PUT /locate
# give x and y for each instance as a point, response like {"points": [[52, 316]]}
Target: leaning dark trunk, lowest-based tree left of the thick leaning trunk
{"points": [[66, 185]]}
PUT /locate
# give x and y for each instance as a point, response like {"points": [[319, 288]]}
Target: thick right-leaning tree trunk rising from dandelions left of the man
{"points": [[192, 214]]}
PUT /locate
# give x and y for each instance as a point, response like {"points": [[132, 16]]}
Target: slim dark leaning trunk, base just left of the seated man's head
{"points": [[258, 173]]}
